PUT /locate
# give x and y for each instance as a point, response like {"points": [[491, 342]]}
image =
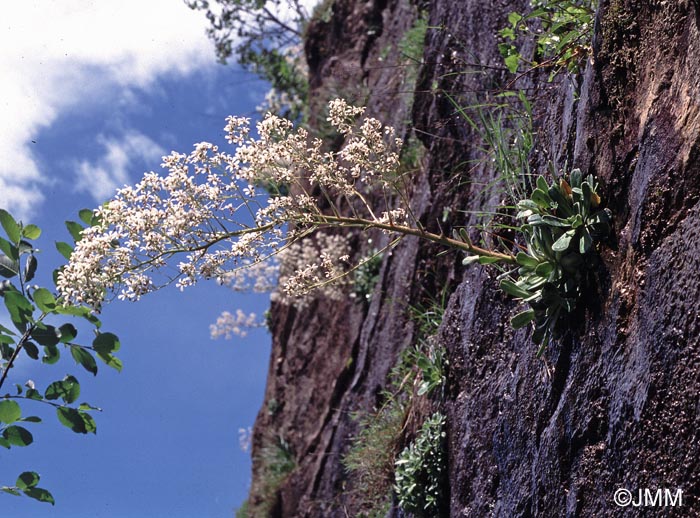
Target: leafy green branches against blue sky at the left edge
{"points": [[30, 308]]}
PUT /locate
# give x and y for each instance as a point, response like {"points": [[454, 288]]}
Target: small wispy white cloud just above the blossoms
{"points": [[111, 171]]}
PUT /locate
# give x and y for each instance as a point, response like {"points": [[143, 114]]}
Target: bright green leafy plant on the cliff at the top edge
{"points": [[562, 30]]}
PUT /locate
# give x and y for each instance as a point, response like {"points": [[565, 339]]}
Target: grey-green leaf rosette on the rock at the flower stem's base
{"points": [[563, 225]]}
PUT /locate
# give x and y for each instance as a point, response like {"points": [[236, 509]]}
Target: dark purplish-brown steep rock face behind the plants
{"points": [[615, 403]]}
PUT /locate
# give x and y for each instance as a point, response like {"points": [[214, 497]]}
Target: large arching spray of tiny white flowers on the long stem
{"points": [[211, 209]]}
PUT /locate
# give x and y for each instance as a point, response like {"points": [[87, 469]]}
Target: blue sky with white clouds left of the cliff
{"points": [[93, 94]]}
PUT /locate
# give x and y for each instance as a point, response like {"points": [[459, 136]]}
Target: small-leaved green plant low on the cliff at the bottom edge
{"points": [[421, 470]]}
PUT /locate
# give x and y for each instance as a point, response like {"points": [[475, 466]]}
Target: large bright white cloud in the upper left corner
{"points": [[58, 55]]}
